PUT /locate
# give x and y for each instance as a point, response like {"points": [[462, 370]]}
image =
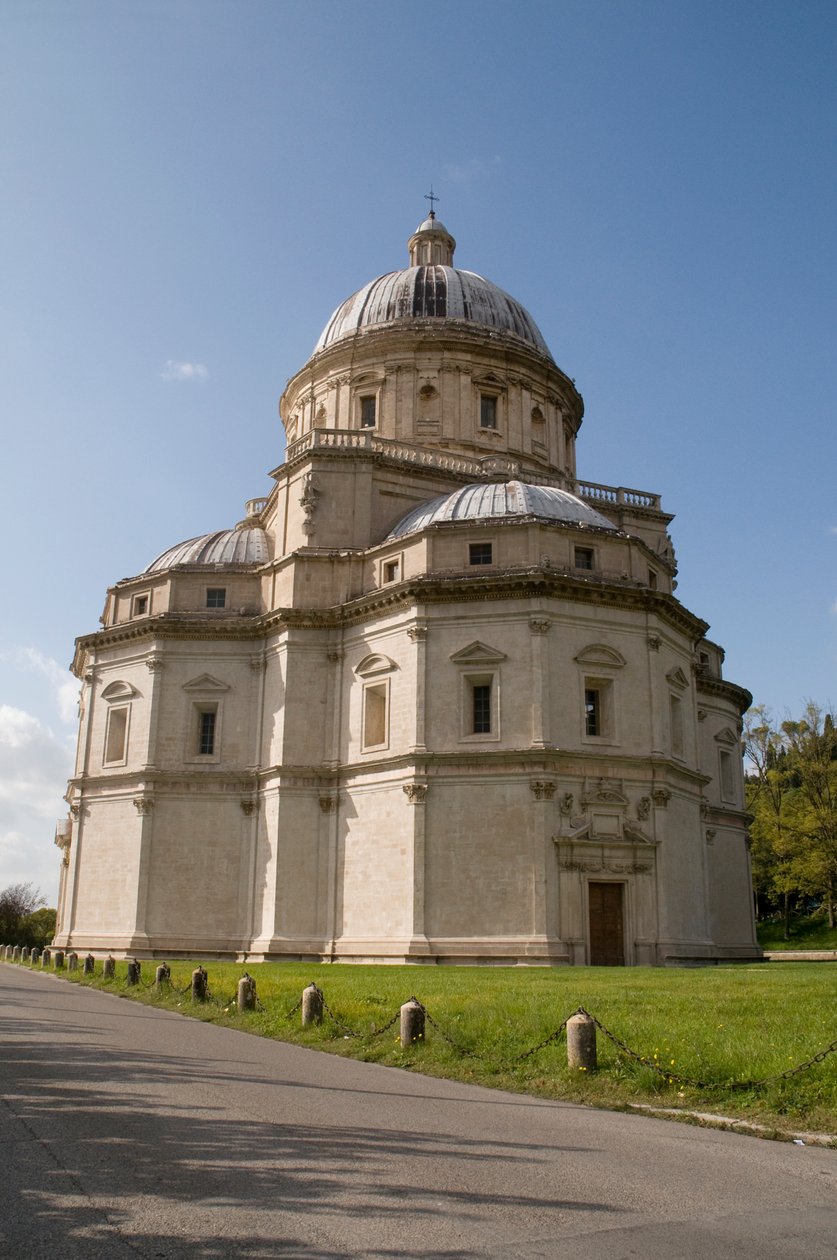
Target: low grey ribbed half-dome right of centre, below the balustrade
{"points": [[497, 502]]}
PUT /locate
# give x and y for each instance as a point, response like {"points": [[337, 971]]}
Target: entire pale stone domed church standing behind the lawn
{"points": [[433, 700]]}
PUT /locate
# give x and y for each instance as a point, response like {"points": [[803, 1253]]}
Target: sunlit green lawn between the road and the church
{"points": [[724, 1028]]}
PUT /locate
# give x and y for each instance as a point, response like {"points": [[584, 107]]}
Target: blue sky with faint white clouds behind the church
{"points": [[200, 183]]}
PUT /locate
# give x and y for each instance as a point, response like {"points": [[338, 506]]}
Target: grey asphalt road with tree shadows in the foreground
{"points": [[128, 1132]]}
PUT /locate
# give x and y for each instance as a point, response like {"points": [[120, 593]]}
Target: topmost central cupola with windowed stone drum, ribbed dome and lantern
{"points": [[436, 358]]}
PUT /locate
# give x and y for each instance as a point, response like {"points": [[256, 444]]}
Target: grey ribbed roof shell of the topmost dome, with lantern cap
{"points": [[432, 293]]}
